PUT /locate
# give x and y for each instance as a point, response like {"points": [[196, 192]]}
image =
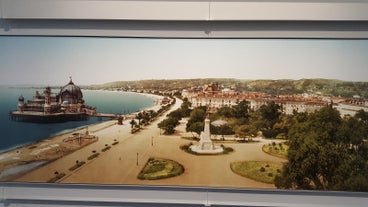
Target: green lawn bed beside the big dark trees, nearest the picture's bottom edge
{"points": [[256, 170]]}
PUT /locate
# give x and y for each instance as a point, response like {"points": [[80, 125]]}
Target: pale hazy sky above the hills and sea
{"points": [[96, 60]]}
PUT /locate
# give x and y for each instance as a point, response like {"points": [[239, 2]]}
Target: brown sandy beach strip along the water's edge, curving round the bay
{"points": [[54, 147]]}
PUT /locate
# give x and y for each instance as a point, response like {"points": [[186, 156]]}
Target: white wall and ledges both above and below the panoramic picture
{"points": [[179, 19]]}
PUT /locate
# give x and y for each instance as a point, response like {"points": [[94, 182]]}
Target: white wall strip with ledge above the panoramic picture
{"points": [[186, 18]]}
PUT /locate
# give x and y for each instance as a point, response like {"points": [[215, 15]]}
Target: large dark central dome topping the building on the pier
{"points": [[71, 93]]}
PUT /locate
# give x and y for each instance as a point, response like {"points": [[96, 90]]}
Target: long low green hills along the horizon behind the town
{"points": [[327, 87]]}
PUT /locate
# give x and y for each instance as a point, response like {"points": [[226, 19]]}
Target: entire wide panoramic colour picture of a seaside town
{"points": [[233, 113]]}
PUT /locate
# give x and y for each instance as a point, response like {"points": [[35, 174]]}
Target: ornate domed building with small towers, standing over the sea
{"points": [[66, 105]]}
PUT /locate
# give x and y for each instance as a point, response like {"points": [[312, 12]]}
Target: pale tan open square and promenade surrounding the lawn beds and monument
{"points": [[122, 163]]}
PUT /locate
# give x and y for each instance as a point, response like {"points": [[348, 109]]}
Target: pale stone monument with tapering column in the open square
{"points": [[205, 145]]}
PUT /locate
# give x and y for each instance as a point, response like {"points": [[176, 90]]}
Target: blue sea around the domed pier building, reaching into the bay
{"points": [[15, 134]]}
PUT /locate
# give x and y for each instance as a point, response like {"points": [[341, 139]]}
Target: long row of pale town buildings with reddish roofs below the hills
{"points": [[214, 97]]}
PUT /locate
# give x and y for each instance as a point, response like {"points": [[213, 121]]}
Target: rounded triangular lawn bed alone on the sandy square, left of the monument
{"points": [[158, 168]]}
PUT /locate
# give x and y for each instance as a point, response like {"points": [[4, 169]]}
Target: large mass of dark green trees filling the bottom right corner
{"points": [[324, 153]]}
